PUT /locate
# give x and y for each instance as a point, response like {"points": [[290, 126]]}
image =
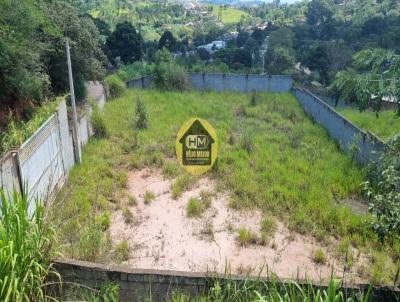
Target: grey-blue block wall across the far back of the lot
{"points": [[228, 82]]}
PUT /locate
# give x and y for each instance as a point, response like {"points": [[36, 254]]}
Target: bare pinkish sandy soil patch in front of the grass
{"points": [[163, 237]]}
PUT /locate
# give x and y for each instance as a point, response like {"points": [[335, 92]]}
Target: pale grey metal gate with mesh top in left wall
{"points": [[41, 162]]}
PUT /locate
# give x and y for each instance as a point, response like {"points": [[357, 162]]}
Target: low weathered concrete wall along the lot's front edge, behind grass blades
{"points": [[141, 284]]}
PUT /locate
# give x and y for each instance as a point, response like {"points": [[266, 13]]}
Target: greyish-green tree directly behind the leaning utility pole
{"points": [[87, 57]]}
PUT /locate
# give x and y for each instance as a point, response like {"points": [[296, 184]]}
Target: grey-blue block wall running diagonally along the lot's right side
{"points": [[365, 147]]}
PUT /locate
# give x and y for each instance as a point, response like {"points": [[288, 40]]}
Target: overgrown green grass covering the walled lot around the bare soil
{"points": [[271, 156]]}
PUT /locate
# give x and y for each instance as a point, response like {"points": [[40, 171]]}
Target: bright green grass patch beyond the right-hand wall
{"points": [[384, 125]]}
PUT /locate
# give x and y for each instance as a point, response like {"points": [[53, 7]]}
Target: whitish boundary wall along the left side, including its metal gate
{"points": [[42, 162]]}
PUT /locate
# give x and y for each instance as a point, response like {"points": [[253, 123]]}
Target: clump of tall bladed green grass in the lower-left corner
{"points": [[24, 250]]}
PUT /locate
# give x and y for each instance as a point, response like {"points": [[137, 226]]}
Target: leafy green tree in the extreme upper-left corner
{"points": [[22, 73]]}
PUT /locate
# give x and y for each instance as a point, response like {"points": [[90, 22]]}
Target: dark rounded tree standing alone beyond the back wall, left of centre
{"points": [[124, 42]]}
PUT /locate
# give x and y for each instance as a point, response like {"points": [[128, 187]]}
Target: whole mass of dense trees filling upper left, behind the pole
{"points": [[32, 52]]}
